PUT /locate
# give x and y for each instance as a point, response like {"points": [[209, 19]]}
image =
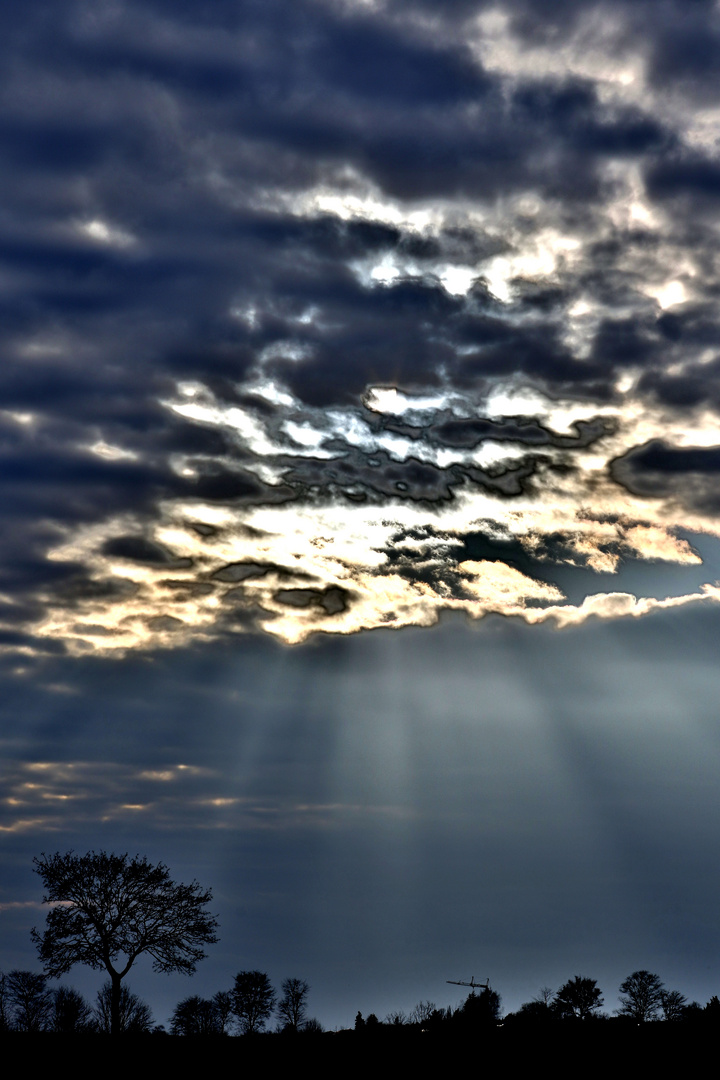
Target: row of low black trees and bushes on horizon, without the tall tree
{"points": [[252, 1006]]}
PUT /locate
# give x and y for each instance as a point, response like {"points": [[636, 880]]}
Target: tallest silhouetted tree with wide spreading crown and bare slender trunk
{"points": [[114, 909]]}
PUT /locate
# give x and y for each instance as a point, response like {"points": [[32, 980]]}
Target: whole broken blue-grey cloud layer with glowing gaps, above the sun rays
{"points": [[333, 316]]}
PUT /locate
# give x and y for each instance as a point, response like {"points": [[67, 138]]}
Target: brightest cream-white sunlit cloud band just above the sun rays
{"points": [[381, 544]]}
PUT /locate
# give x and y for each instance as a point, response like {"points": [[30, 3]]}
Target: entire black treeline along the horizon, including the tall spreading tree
{"points": [[152, 914]]}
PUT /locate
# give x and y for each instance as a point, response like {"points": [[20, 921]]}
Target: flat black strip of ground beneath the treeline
{"points": [[595, 1046]]}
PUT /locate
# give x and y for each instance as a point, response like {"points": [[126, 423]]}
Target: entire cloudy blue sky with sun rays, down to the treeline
{"points": [[360, 547]]}
